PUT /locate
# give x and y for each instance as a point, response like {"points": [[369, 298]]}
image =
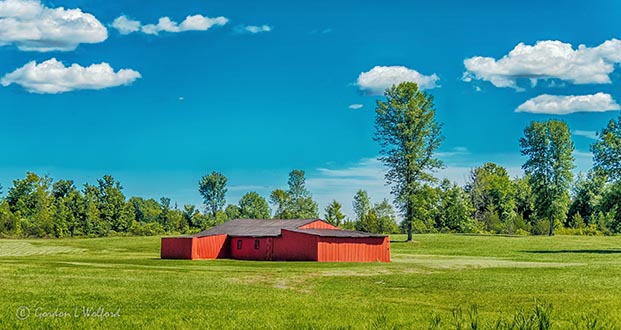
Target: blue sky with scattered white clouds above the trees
{"points": [[159, 95]]}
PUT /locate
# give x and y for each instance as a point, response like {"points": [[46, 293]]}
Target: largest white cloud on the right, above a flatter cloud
{"points": [[547, 59]]}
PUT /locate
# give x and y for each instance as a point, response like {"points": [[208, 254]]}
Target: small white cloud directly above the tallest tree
{"points": [[375, 81]]}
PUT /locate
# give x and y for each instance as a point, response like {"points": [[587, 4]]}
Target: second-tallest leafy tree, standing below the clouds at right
{"points": [[549, 149]]}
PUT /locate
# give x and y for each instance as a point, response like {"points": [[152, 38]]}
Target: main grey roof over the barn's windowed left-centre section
{"points": [[255, 227]]}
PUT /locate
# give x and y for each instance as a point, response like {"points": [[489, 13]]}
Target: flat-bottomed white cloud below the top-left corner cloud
{"points": [[52, 77]]}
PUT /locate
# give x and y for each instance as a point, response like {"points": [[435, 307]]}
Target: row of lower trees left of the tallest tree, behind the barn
{"points": [[38, 206]]}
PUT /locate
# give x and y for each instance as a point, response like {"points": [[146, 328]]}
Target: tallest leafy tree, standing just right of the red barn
{"points": [[408, 135]]}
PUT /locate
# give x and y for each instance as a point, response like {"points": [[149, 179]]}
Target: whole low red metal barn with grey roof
{"points": [[298, 239]]}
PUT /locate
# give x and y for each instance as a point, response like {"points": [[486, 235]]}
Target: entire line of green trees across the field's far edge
{"points": [[547, 199]]}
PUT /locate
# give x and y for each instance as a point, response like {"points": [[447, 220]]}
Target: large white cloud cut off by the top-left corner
{"points": [[31, 26]]}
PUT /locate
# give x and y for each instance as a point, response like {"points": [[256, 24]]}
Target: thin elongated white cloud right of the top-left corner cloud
{"points": [[126, 25]]}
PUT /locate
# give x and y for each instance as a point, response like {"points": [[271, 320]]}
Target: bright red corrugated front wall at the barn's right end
{"points": [[354, 249]]}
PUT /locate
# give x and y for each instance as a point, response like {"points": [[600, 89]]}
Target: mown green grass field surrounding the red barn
{"points": [[121, 283]]}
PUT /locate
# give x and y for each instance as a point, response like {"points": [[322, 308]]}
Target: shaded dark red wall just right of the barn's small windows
{"points": [[295, 246]]}
